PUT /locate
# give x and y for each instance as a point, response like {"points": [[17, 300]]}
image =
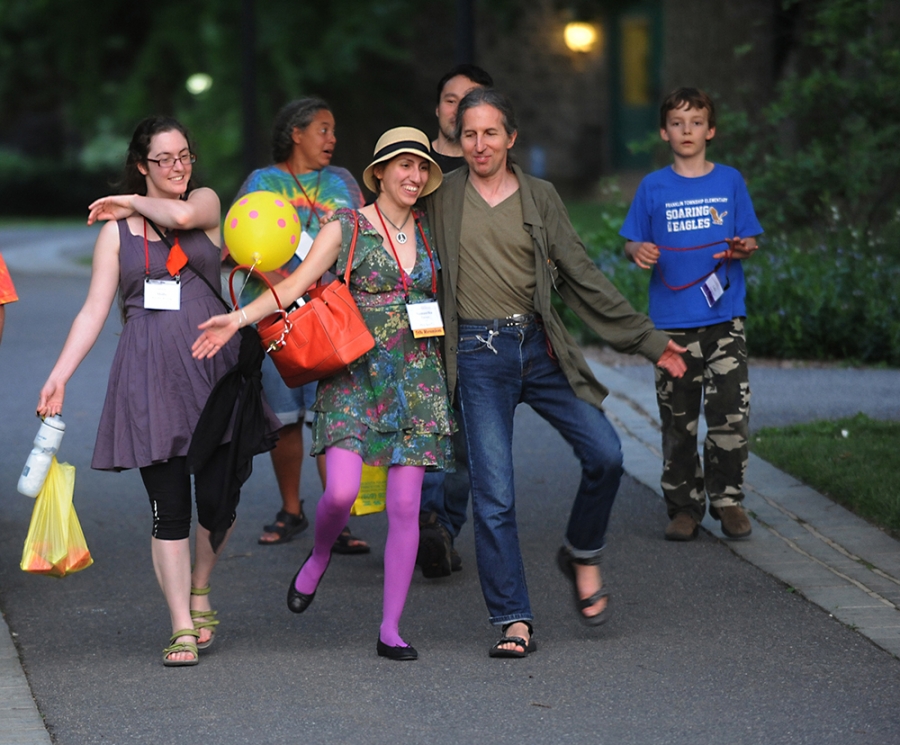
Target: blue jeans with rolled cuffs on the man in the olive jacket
{"points": [[499, 368]]}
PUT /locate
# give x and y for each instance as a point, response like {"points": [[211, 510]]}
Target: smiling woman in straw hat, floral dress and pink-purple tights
{"points": [[390, 407]]}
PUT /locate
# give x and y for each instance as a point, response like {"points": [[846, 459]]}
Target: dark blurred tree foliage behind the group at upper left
{"points": [[76, 77]]}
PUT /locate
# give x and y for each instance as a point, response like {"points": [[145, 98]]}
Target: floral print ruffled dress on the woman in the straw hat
{"points": [[390, 406]]}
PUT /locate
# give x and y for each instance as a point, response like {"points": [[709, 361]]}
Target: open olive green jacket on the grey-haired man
{"points": [[562, 264]]}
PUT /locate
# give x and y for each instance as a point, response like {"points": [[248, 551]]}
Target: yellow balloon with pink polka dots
{"points": [[262, 229]]}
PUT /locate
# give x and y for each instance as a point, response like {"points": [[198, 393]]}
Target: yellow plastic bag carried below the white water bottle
{"points": [[55, 544]]}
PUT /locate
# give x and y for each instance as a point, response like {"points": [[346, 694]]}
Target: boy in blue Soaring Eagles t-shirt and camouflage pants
{"points": [[691, 224]]}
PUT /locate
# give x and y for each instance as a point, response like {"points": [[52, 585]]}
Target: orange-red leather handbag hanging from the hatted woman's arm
{"points": [[319, 338]]}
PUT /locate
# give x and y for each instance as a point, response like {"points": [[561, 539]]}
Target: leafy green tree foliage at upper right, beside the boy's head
{"points": [[825, 152]]}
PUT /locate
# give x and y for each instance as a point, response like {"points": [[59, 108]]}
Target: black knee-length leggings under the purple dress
{"points": [[168, 486]]}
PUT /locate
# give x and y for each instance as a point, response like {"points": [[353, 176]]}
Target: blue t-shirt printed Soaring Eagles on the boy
{"points": [[675, 212]]}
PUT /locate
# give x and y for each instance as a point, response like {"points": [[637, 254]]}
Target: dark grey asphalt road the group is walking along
{"points": [[703, 646]]}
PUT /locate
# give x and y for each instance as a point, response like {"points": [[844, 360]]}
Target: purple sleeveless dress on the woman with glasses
{"points": [[156, 390]]}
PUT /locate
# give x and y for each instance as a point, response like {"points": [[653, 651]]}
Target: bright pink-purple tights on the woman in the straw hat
{"points": [[404, 492]]}
